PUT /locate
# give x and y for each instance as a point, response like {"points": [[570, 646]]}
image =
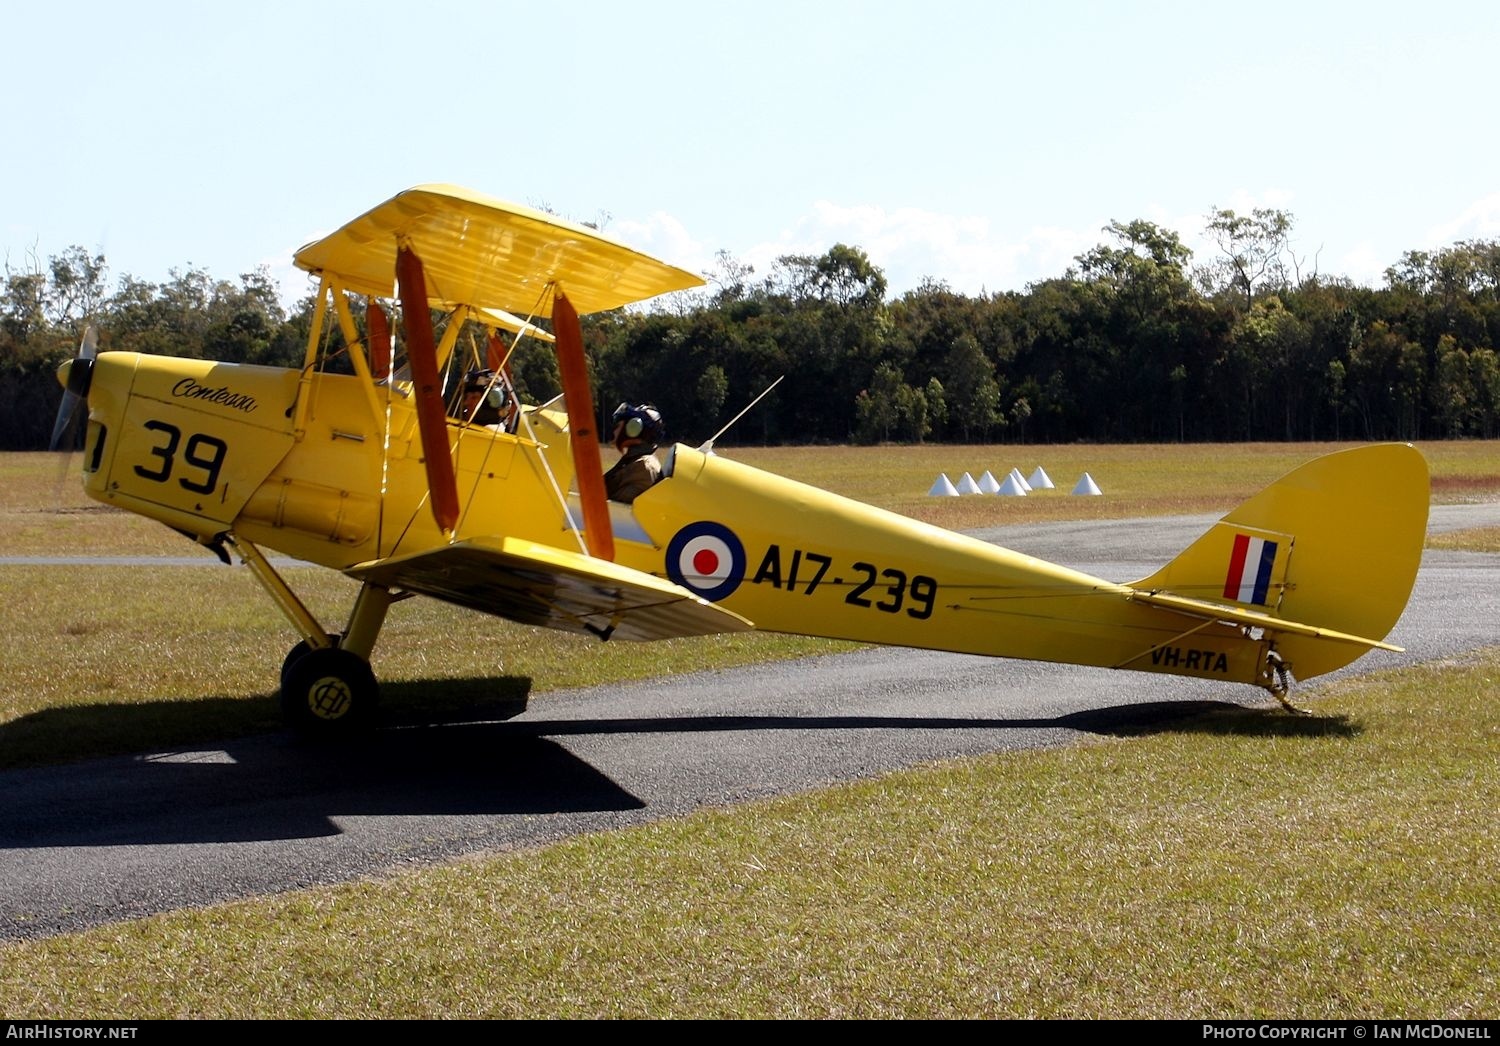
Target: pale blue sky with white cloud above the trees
{"points": [[985, 145]]}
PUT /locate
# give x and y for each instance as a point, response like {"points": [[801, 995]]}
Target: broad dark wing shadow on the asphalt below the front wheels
{"points": [[271, 789]]}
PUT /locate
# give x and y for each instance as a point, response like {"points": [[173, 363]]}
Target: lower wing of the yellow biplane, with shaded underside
{"points": [[536, 585]]}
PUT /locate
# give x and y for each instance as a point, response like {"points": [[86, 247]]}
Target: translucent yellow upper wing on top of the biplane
{"points": [[493, 254]]}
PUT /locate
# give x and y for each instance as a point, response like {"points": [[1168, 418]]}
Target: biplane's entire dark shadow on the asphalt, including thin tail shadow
{"points": [[278, 787]]}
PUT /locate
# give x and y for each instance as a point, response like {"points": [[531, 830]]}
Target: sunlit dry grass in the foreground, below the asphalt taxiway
{"points": [[1243, 865]]}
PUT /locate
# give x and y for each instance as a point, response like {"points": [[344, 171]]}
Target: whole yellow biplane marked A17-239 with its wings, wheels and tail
{"points": [[356, 464]]}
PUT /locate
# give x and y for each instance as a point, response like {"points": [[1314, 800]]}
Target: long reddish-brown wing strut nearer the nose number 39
{"points": [[433, 421]]}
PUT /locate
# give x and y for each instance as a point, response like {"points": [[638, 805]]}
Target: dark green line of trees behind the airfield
{"points": [[1133, 343]]}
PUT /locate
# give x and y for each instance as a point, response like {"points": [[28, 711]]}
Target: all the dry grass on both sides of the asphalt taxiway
{"points": [[1244, 865]]}
